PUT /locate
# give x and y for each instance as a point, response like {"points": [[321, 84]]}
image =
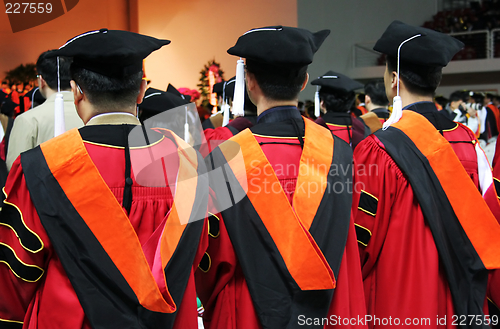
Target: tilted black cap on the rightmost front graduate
{"points": [[431, 48]]}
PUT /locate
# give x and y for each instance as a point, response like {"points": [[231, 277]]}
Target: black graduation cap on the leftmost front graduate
{"points": [[112, 53]]}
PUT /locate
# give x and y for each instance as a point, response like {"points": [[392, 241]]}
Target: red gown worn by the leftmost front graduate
{"points": [[36, 290]]}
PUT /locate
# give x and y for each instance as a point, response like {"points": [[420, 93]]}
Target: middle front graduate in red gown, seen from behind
{"points": [[285, 255]]}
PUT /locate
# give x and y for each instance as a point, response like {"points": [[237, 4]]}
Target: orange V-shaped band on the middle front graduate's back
{"points": [[288, 228]]}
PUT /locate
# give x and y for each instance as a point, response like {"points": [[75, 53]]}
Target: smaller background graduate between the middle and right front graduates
{"points": [[337, 99]]}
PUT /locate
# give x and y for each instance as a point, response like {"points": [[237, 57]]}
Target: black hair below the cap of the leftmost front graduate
{"points": [[105, 93]]}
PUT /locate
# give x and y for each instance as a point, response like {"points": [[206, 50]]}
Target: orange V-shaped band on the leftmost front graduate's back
{"points": [[67, 158]]}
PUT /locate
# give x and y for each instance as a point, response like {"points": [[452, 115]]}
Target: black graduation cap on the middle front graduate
{"points": [[279, 45]]}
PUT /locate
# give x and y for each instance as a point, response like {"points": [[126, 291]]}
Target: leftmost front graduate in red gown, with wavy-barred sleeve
{"points": [[93, 232]]}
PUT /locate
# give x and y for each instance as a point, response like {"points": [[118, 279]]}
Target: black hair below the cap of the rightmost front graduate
{"points": [[419, 79]]}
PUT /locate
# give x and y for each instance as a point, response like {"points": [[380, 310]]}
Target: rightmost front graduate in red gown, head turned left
{"points": [[426, 236]]}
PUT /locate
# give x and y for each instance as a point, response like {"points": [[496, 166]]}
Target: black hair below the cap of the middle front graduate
{"points": [[278, 82]]}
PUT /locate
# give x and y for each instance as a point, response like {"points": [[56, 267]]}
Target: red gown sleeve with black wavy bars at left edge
{"points": [[24, 250]]}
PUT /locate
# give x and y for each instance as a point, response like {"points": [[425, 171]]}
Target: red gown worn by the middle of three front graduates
{"points": [[222, 286]]}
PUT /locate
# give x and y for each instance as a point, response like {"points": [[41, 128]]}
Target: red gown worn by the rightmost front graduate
{"points": [[402, 273]]}
